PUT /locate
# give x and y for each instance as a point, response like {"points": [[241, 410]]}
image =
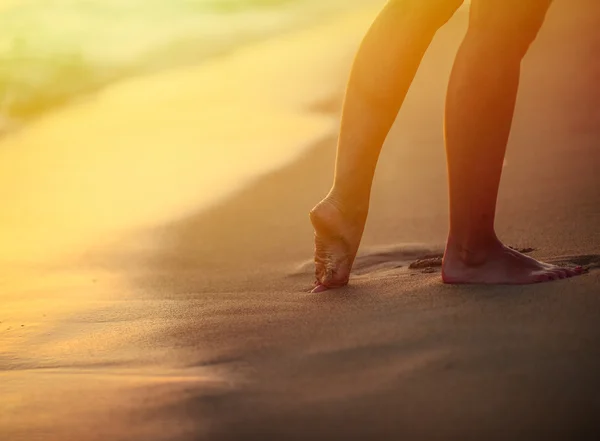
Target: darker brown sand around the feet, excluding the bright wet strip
{"points": [[201, 327]]}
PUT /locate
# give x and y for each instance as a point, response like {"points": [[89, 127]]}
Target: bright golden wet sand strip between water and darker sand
{"points": [[102, 142]]}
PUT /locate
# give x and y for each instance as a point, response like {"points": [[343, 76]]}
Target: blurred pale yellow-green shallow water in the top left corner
{"points": [[51, 51]]}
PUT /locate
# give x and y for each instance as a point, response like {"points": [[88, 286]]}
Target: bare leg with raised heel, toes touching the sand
{"points": [[382, 73]]}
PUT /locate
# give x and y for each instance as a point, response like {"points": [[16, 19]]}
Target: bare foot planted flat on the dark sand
{"points": [[498, 265]]}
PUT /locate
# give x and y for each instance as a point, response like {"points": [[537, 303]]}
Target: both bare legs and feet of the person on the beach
{"points": [[479, 111]]}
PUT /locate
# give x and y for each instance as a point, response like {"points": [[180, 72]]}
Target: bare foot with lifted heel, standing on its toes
{"points": [[337, 237]]}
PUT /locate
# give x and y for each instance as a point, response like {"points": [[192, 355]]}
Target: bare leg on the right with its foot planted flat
{"points": [[479, 111]]}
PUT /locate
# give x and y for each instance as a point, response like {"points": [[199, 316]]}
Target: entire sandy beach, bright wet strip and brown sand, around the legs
{"points": [[142, 297]]}
